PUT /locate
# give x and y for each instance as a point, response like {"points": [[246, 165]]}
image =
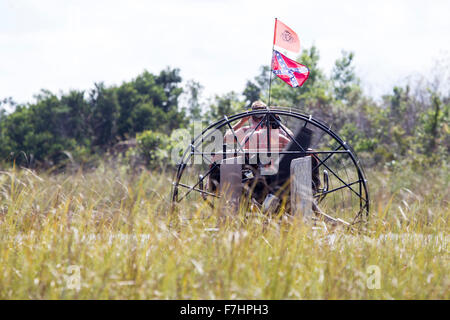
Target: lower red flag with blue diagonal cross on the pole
{"points": [[290, 71]]}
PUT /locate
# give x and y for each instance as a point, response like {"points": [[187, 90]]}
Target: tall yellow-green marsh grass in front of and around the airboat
{"points": [[108, 234]]}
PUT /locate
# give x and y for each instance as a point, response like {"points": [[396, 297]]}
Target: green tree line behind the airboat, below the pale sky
{"points": [[410, 124]]}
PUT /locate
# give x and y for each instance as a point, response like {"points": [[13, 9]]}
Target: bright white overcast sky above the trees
{"points": [[62, 45]]}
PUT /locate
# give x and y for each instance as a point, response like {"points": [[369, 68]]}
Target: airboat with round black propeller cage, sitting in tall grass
{"points": [[338, 187]]}
